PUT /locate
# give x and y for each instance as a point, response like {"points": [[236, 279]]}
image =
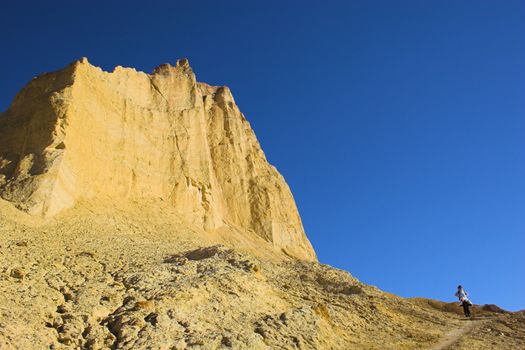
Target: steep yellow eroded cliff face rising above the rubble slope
{"points": [[82, 133]]}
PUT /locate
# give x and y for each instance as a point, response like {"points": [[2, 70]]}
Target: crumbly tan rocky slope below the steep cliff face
{"points": [[133, 276]]}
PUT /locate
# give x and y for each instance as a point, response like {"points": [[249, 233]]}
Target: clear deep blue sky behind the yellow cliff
{"points": [[399, 125]]}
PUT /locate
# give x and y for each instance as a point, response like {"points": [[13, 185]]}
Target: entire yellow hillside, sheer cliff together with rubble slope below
{"points": [[139, 212]]}
